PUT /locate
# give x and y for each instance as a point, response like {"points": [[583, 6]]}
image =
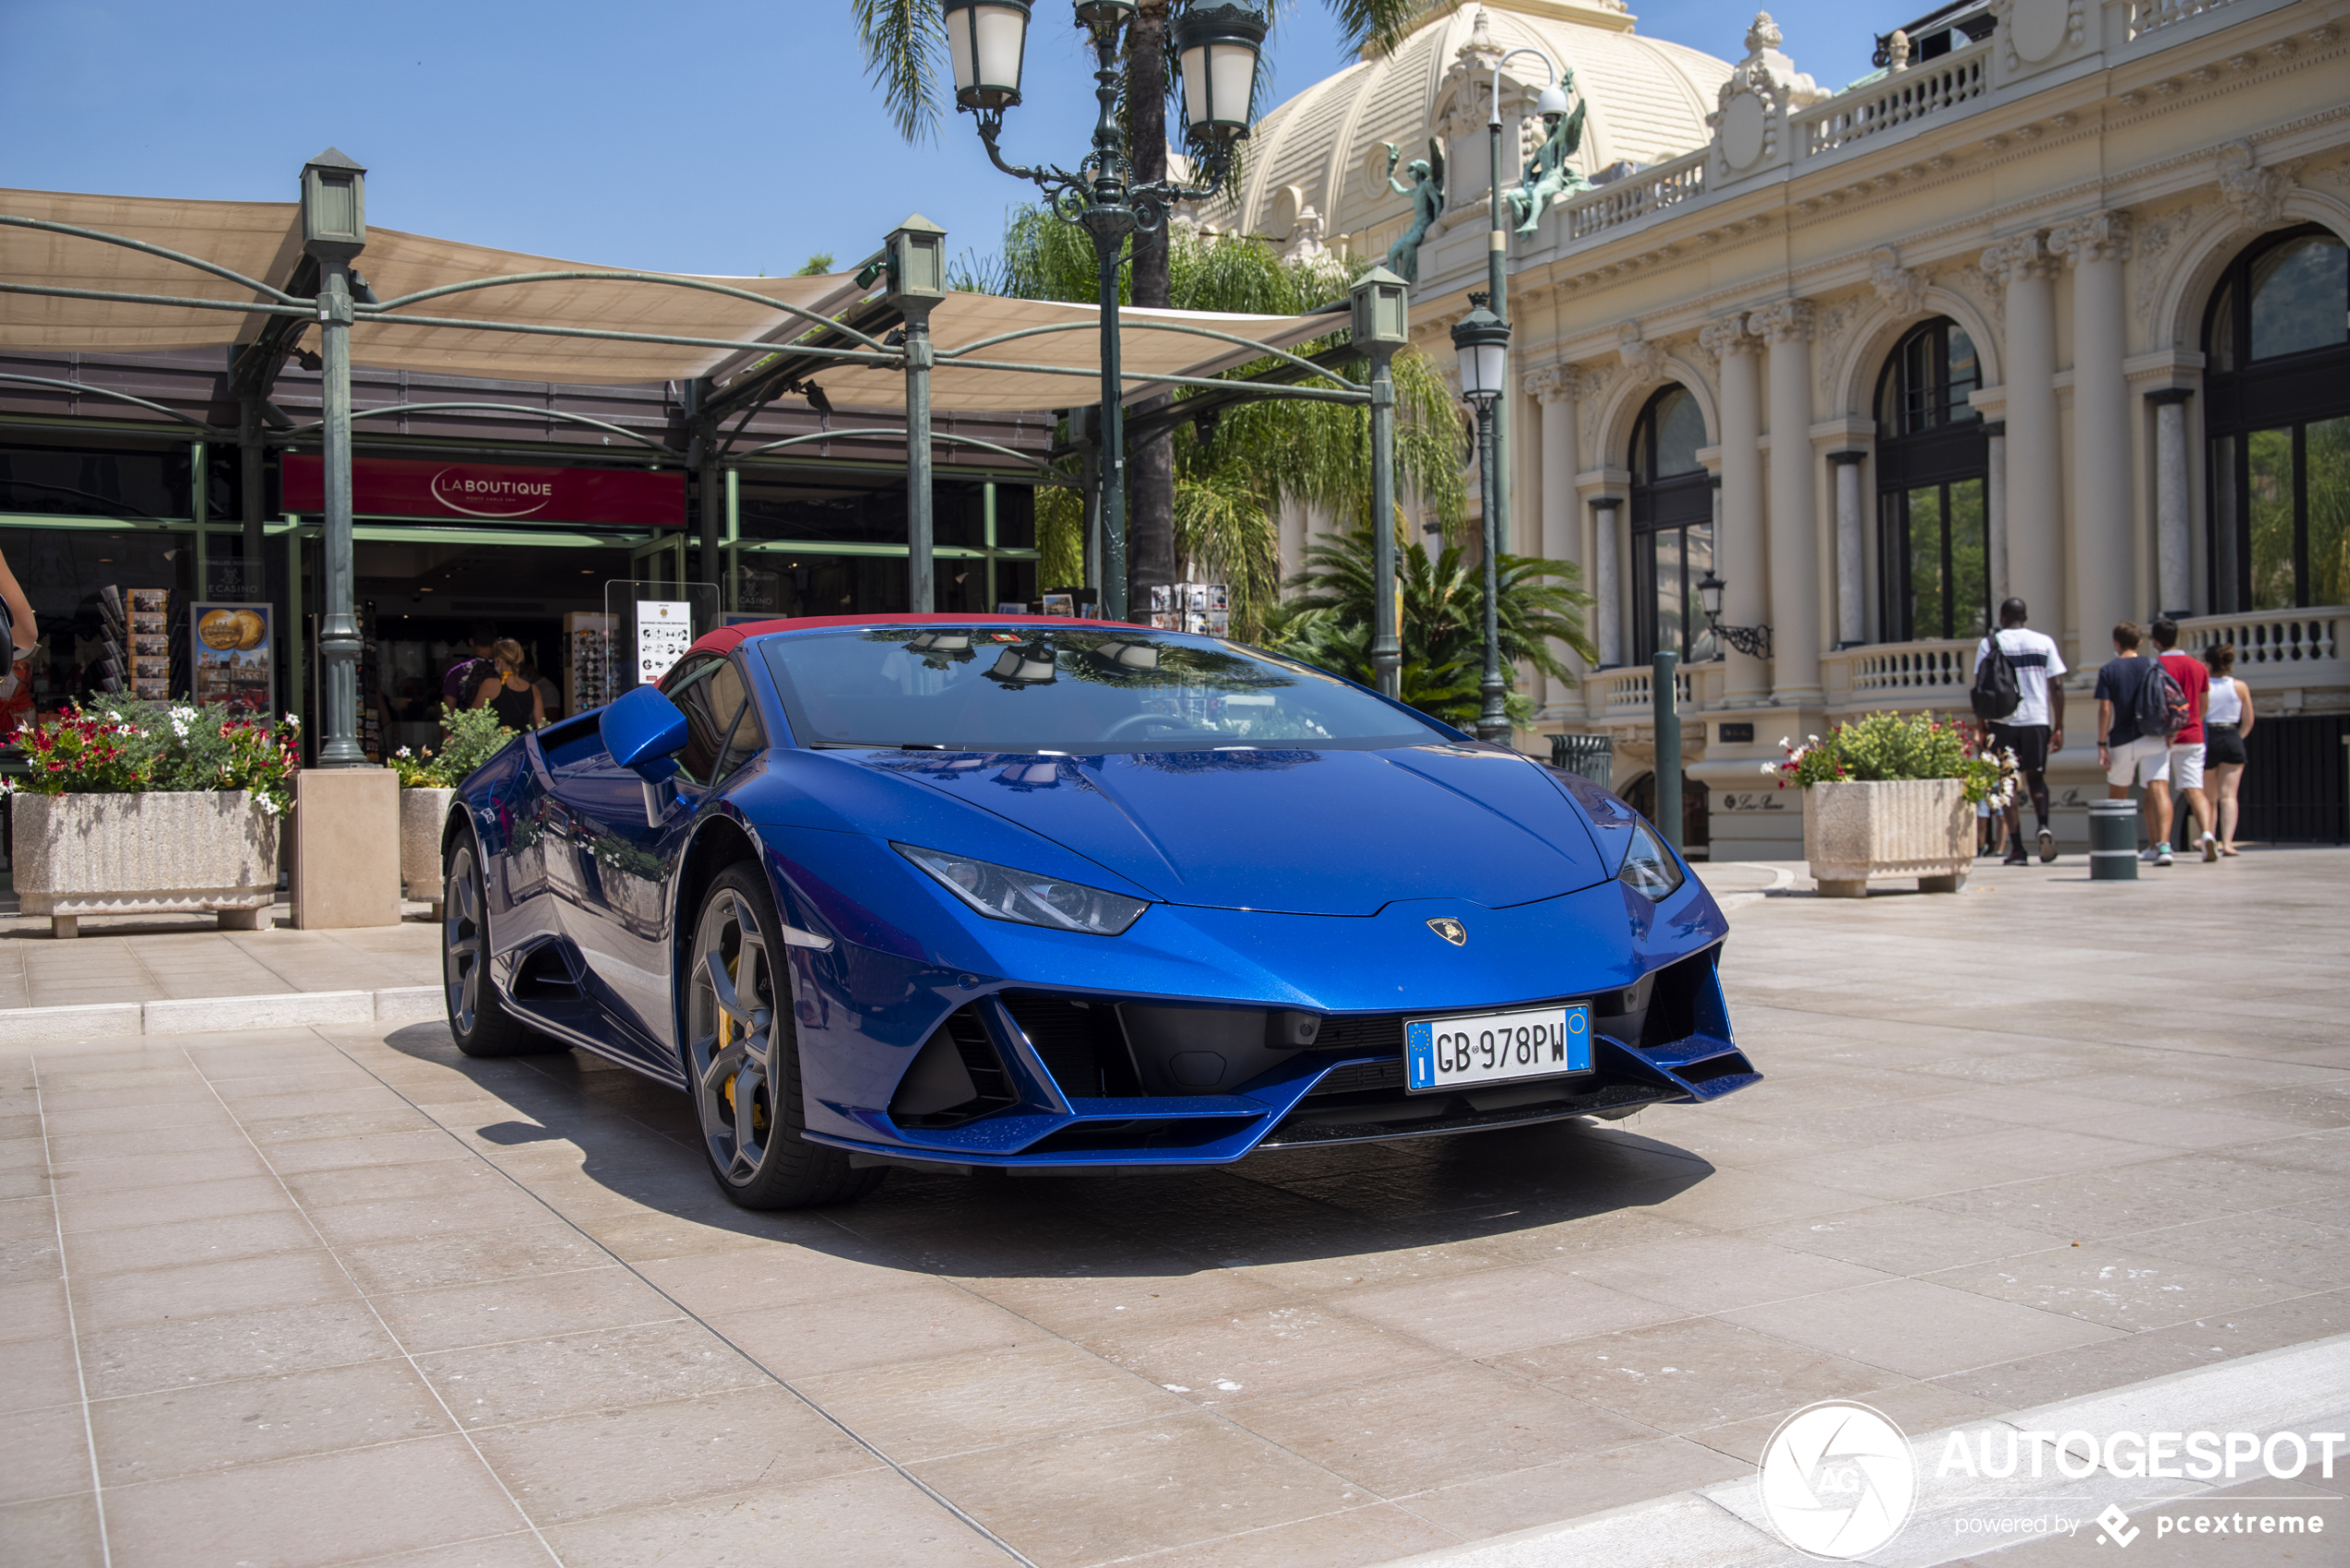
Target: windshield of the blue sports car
{"points": [[1080, 690]]}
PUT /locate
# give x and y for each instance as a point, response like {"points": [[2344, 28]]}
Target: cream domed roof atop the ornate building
{"points": [[1327, 147]]}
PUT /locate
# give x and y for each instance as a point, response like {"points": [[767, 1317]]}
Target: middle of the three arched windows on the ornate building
{"points": [[1933, 532]]}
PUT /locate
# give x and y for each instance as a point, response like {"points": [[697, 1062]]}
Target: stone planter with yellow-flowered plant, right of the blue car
{"points": [[1893, 796]]}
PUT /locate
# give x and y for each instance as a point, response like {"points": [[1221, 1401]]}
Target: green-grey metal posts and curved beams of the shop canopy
{"points": [[882, 330]]}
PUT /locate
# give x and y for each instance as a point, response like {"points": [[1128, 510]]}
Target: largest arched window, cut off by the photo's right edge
{"points": [[2278, 420]]}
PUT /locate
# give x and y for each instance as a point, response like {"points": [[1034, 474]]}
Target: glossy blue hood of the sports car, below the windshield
{"points": [[1291, 831]]}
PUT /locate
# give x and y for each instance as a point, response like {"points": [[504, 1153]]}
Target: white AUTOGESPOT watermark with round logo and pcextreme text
{"points": [[1839, 1482]]}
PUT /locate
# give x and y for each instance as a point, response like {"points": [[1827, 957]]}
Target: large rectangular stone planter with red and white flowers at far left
{"points": [[152, 808]]}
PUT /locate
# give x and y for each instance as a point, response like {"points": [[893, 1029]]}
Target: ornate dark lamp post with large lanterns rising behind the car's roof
{"points": [[1218, 58]]}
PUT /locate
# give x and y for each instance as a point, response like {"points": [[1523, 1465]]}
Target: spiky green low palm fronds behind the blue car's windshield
{"points": [[1442, 626]]}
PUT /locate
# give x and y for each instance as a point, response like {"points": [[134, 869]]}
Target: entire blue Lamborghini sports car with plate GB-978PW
{"points": [[1052, 894]]}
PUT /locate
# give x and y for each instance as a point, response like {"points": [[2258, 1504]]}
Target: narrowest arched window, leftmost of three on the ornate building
{"points": [[1672, 528]]}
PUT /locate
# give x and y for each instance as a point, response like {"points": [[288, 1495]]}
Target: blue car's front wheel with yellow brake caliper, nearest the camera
{"points": [[744, 1057]]}
